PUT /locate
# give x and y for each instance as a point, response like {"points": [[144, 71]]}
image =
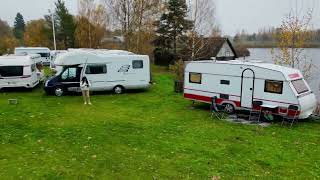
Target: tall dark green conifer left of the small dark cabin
{"points": [[172, 25]]}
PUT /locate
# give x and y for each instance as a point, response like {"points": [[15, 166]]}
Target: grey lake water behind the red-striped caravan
{"points": [[264, 54]]}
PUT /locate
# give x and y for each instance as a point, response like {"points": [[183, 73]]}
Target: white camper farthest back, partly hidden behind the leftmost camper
{"points": [[42, 51]]}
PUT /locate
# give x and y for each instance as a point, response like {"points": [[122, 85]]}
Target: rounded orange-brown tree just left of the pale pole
{"points": [[37, 33]]}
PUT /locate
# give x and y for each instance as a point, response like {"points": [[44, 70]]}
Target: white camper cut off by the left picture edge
{"points": [[19, 71]]}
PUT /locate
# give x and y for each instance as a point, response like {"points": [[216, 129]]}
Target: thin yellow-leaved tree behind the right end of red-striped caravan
{"points": [[291, 39]]}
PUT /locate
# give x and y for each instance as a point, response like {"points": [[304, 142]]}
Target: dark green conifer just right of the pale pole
{"points": [[65, 25]]}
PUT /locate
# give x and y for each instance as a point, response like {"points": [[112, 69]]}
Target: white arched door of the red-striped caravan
{"points": [[247, 88]]}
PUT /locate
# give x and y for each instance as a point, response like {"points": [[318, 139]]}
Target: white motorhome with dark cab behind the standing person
{"points": [[104, 71]]}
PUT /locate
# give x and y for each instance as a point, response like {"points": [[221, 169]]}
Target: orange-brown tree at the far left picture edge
{"points": [[7, 40]]}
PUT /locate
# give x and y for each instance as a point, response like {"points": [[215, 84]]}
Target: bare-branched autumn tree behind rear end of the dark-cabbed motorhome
{"points": [[135, 19]]}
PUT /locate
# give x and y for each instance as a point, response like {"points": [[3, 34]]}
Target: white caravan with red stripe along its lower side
{"points": [[239, 85]]}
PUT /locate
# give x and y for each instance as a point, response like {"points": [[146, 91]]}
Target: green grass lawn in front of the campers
{"points": [[154, 134]]}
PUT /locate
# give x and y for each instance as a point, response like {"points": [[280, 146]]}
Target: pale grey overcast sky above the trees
{"points": [[232, 15]]}
